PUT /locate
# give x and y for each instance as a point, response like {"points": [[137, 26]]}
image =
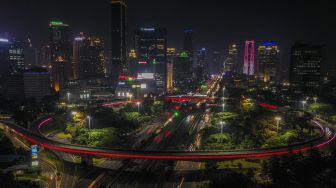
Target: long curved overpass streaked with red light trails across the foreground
{"points": [[327, 137]]}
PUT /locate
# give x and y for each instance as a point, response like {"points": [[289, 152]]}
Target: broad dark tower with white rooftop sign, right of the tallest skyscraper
{"points": [[151, 47]]}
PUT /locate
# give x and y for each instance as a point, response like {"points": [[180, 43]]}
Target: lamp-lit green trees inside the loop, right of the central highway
{"points": [[256, 129]]}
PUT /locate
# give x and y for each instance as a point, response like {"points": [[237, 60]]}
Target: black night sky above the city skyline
{"points": [[216, 23]]}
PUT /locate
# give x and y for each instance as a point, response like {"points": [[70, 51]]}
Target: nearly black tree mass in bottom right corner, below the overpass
{"points": [[297, 170]]}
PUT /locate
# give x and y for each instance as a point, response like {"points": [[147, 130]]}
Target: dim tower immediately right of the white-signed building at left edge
{"points": [[16, 55]]}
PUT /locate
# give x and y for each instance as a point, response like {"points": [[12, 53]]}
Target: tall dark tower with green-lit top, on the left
{"points": [[60, 54]]}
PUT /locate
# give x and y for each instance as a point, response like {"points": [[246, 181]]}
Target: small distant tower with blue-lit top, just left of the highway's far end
{"points": [[201, 70]]}
